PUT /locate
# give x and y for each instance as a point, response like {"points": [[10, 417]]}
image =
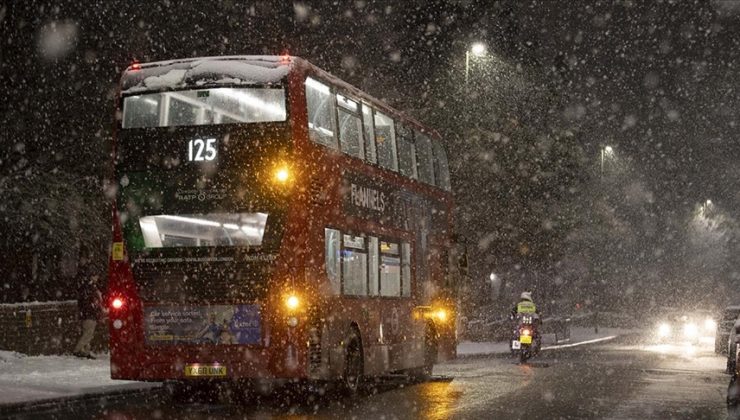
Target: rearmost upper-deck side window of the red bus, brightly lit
{"points": [[321, 121]]}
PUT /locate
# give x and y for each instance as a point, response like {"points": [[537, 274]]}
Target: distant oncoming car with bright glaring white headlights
{"points": [[685, 326]]}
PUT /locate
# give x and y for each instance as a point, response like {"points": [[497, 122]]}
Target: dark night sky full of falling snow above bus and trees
{"points": [[656, 80]]}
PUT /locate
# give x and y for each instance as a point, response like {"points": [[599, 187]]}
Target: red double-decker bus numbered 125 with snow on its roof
{"points": [[273, 222]]}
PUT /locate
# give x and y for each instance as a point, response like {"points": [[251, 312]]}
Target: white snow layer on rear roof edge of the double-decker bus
{"points": [[231, 70]]}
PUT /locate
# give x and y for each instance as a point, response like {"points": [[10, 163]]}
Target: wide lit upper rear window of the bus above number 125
{"points": [[204, 107]]}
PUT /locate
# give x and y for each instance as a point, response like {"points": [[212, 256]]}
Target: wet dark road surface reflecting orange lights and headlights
{"points": [[622, 379]]}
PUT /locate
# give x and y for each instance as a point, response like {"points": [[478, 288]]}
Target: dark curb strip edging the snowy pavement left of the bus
{"points": [[35, 407]]}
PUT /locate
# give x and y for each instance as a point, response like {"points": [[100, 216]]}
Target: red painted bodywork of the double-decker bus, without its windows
{"points": [[391, 328]]}
